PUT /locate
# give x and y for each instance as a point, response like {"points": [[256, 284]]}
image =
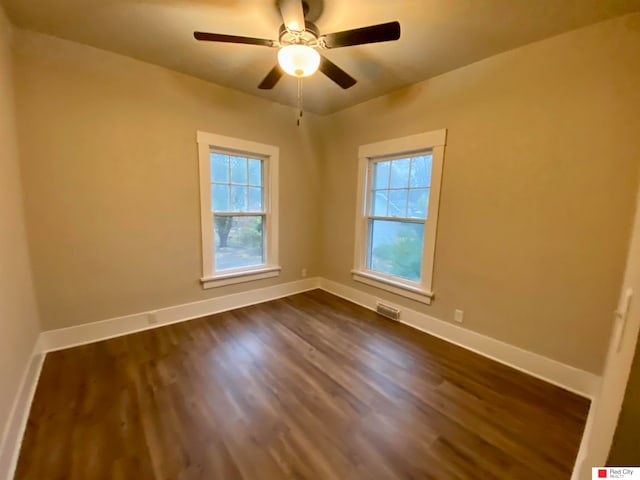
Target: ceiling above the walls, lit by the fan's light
{"points": [[437, 36]]}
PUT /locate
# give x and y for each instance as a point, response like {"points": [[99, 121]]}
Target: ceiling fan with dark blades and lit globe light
{"points": [[299, 41]]}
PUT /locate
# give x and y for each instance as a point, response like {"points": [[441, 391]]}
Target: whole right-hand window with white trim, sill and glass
{"points": [[399, 190]]}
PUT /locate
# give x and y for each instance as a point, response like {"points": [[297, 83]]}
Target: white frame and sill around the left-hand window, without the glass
{"points": [[208, 142]]}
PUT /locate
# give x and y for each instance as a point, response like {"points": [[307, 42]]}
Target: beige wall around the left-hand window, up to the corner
{"points": [[111, 179]]}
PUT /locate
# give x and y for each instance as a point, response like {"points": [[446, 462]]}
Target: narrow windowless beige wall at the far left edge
{"points": [[18, 312]]}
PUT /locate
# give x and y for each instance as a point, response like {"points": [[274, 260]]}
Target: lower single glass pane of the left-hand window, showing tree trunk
{"points": [[238, 242]]}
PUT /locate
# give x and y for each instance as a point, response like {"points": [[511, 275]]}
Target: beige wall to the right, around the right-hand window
{"points": [[538, 189]]}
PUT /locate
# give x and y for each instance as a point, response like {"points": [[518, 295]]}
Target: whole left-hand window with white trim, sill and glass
{"points": [[238, 201]]}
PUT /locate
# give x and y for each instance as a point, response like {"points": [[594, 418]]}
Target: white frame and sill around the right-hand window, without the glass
{"points": [[434, 142]]}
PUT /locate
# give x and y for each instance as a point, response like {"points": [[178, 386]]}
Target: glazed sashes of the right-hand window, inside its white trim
{"points": [[398, 193]]}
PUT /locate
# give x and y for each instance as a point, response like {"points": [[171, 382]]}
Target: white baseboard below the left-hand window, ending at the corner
{"points": [[114, 327]]}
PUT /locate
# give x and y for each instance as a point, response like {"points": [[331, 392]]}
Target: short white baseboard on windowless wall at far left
{"points": [[17, 421]]}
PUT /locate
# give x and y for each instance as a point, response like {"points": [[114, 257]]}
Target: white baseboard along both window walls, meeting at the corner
{"points": [[565, 376]]}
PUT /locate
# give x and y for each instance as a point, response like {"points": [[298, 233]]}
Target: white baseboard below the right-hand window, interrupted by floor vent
{"points": [[570, 378]]}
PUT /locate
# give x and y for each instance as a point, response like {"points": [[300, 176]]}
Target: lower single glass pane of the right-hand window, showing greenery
{"points": [[395, 248]]}
